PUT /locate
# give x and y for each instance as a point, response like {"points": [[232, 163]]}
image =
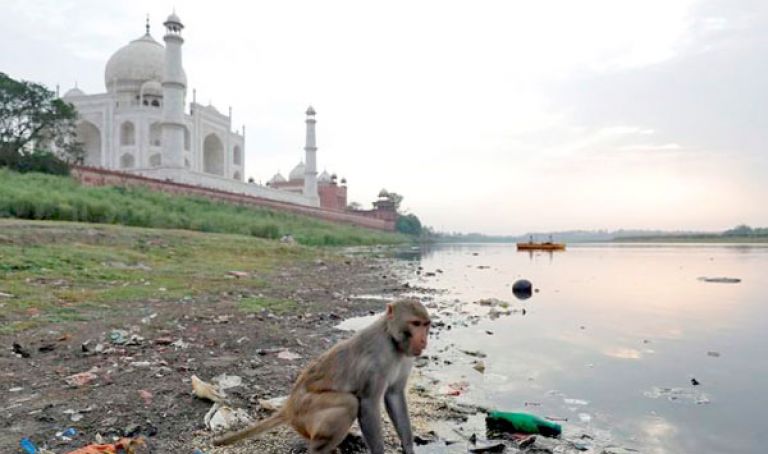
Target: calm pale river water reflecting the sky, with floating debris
{"points": [[611, 326]]}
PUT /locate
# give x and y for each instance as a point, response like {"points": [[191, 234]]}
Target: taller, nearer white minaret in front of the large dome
{"points": [[174, 92]]}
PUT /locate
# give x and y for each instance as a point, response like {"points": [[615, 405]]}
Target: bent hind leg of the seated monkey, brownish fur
{"points": [[328, 419]]}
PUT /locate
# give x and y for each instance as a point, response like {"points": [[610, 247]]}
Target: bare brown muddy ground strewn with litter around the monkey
{"points": [[141, 375]]}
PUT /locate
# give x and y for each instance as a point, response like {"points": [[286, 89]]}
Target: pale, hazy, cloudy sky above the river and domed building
{"points": [[498, 117]]}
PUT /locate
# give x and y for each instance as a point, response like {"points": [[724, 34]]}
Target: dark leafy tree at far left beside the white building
{"points": [[33, 119]]}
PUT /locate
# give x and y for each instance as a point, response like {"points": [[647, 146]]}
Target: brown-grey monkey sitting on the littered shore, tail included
{"points": [[350, 381]]}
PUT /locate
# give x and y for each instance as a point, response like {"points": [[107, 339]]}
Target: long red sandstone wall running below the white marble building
{"points": [[101, 177]]}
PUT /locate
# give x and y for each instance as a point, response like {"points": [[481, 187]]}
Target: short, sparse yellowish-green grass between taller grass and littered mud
{"points": [[61, 272]]}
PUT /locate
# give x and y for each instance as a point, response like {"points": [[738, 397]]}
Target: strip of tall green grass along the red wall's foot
{"points": [[56, 198]]}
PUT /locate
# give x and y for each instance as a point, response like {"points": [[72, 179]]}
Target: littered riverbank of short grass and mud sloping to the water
{"points": [[134, 313]]}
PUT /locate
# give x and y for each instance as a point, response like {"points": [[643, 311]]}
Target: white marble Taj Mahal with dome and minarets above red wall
{"points": [[141, 125]]}
